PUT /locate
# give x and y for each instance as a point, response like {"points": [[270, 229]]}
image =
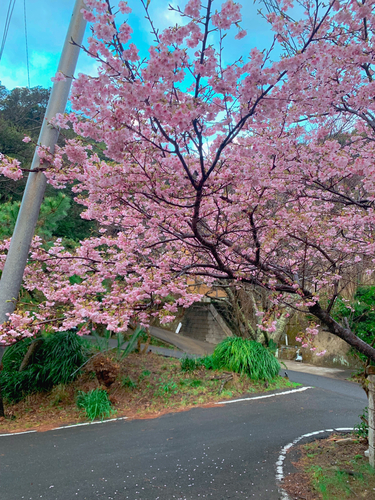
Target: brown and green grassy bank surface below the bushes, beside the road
{"points": [[145, 386]]}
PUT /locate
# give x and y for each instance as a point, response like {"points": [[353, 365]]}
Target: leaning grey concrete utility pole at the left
{"points": [[12, 275]]}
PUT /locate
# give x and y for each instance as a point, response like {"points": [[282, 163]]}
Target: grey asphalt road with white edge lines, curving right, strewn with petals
{"points": [[224, 452]]}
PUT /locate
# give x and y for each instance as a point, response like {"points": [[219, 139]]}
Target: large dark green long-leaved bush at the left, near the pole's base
{"points": [[58, 357]]}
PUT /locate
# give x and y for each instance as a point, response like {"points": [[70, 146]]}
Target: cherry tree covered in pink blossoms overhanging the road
{"points": [[213, 169]]}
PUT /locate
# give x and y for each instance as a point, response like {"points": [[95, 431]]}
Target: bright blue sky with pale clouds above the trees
{"points": [[47, 22]]}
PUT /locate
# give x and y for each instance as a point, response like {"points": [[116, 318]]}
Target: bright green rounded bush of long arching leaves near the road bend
{"points": [[246, 356]]}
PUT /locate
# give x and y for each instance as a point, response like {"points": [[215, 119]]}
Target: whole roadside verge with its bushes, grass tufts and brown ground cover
{"points": [[95, 382]]}
